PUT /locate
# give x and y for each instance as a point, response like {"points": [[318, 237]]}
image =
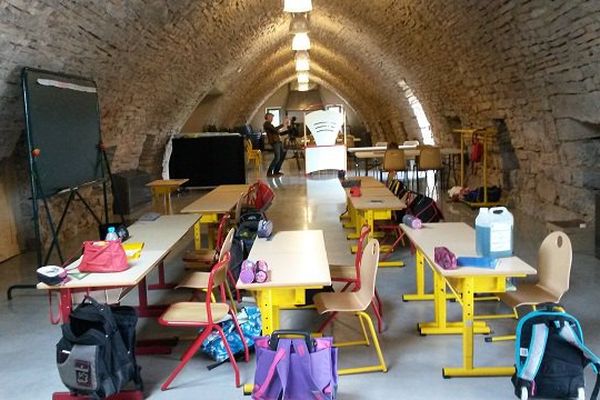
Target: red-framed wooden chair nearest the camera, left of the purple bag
{"points": [[207, 316]]}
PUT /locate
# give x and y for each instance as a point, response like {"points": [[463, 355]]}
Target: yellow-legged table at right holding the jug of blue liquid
{"points": [[464, 283]]}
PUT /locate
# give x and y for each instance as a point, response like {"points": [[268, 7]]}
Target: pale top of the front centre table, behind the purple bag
{"points": [[295, 259]]}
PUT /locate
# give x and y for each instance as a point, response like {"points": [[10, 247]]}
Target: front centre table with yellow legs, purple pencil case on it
{"points": [[297, 261]]}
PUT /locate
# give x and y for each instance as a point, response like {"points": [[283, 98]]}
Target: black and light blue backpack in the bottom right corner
{"points": [[550, 356]]}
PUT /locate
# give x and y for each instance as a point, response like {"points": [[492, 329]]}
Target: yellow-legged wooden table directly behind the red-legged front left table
{"points": [[211, 206]]}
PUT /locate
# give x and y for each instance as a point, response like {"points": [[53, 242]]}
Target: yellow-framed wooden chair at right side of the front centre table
{"points": [[357, 302]]}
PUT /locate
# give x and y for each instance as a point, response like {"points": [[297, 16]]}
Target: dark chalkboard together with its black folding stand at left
{"points": [[62, 121]]}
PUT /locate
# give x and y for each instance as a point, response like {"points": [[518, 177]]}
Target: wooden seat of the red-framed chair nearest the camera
{"points": [[190, 313]]}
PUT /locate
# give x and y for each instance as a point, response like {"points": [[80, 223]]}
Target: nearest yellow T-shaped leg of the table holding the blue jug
{"points": [[468, 369]]}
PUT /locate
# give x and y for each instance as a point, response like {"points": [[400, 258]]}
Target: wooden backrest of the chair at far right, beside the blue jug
{"points": [[554, 263]]}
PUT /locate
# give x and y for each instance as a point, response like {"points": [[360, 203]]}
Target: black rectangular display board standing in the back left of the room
{"points": [[208, 160]]}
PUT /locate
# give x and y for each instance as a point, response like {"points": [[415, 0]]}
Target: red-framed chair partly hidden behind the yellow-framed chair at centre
{"points": [[351, 276]]}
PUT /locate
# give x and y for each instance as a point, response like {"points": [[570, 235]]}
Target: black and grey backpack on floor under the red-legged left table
{"points": [[96, 355]]}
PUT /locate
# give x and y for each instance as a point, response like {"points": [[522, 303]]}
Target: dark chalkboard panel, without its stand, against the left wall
{"points": [[63, 121]]}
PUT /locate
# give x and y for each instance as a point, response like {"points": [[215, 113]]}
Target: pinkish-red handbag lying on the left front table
{"points": [[103, 256]]}
